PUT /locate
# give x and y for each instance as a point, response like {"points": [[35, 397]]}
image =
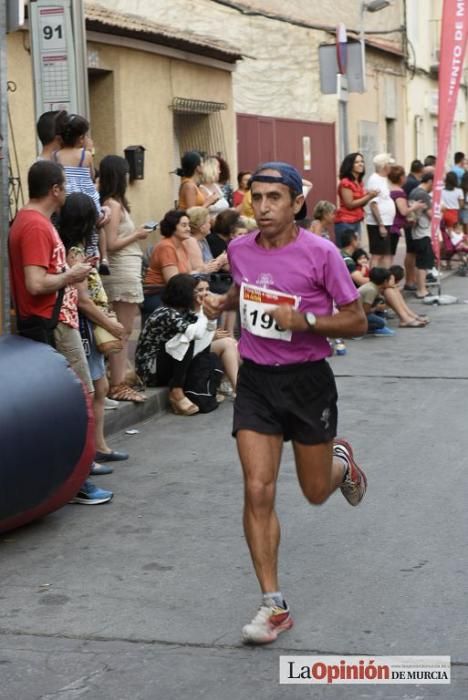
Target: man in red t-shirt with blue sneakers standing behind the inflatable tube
{"points": [[38, 271]]}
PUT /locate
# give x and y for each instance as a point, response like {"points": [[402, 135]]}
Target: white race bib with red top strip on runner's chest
{"points": [[254, 305]]}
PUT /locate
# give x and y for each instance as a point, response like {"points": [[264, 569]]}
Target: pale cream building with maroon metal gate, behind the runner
{"points": [[278, 78]]}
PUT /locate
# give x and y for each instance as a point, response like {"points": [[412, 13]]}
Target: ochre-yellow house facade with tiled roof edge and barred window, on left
{"points": [[148, 86]]}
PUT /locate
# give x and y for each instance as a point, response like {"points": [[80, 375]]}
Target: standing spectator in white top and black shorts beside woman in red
{"points": [[380, 212]]}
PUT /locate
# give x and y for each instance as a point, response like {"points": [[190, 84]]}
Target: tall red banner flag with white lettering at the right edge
{"points": [[453, 39]]}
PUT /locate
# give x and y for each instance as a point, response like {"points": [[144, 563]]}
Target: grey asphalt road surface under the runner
{"points": [[144, 598]]}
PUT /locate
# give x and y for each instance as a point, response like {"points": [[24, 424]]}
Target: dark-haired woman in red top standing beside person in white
{"points": [[351, 195]]}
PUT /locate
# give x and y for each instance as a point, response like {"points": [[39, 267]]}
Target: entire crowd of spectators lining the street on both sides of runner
{"points": [[110, 280]]}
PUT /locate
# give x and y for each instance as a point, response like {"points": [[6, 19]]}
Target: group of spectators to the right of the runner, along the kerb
{"points": [[393, 206]]}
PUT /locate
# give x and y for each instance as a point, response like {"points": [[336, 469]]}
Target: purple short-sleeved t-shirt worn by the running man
{"points": [[309, 267]]}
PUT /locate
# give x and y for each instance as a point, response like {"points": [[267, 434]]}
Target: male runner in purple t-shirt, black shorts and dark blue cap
{"points": [[285, 282]]}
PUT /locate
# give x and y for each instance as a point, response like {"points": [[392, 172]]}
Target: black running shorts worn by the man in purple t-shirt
{"points": [[296, 401]]}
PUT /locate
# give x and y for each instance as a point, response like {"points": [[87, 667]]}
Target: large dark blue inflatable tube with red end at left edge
{"points": [[46, 431]]}
